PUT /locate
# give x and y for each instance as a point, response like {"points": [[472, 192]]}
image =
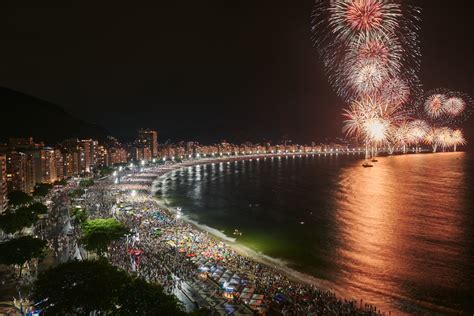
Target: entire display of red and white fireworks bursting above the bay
{"points": [[371, 53]]}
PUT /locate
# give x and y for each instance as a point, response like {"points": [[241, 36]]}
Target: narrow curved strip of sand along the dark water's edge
{"points": [[275, 263]]}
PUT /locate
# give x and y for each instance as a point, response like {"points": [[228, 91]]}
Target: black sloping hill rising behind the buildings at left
{"points": [[22, 115]]}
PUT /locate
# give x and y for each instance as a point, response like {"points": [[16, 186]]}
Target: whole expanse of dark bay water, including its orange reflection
{"points": [[399, 235]]}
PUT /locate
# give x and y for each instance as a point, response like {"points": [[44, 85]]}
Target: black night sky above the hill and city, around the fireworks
{"points": [[203, 68]]}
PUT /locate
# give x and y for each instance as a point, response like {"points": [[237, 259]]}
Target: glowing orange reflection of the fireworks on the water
{"points": [[403, 226]]}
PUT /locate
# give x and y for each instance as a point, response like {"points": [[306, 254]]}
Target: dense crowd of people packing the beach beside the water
{"points": [[166, 249]]}
